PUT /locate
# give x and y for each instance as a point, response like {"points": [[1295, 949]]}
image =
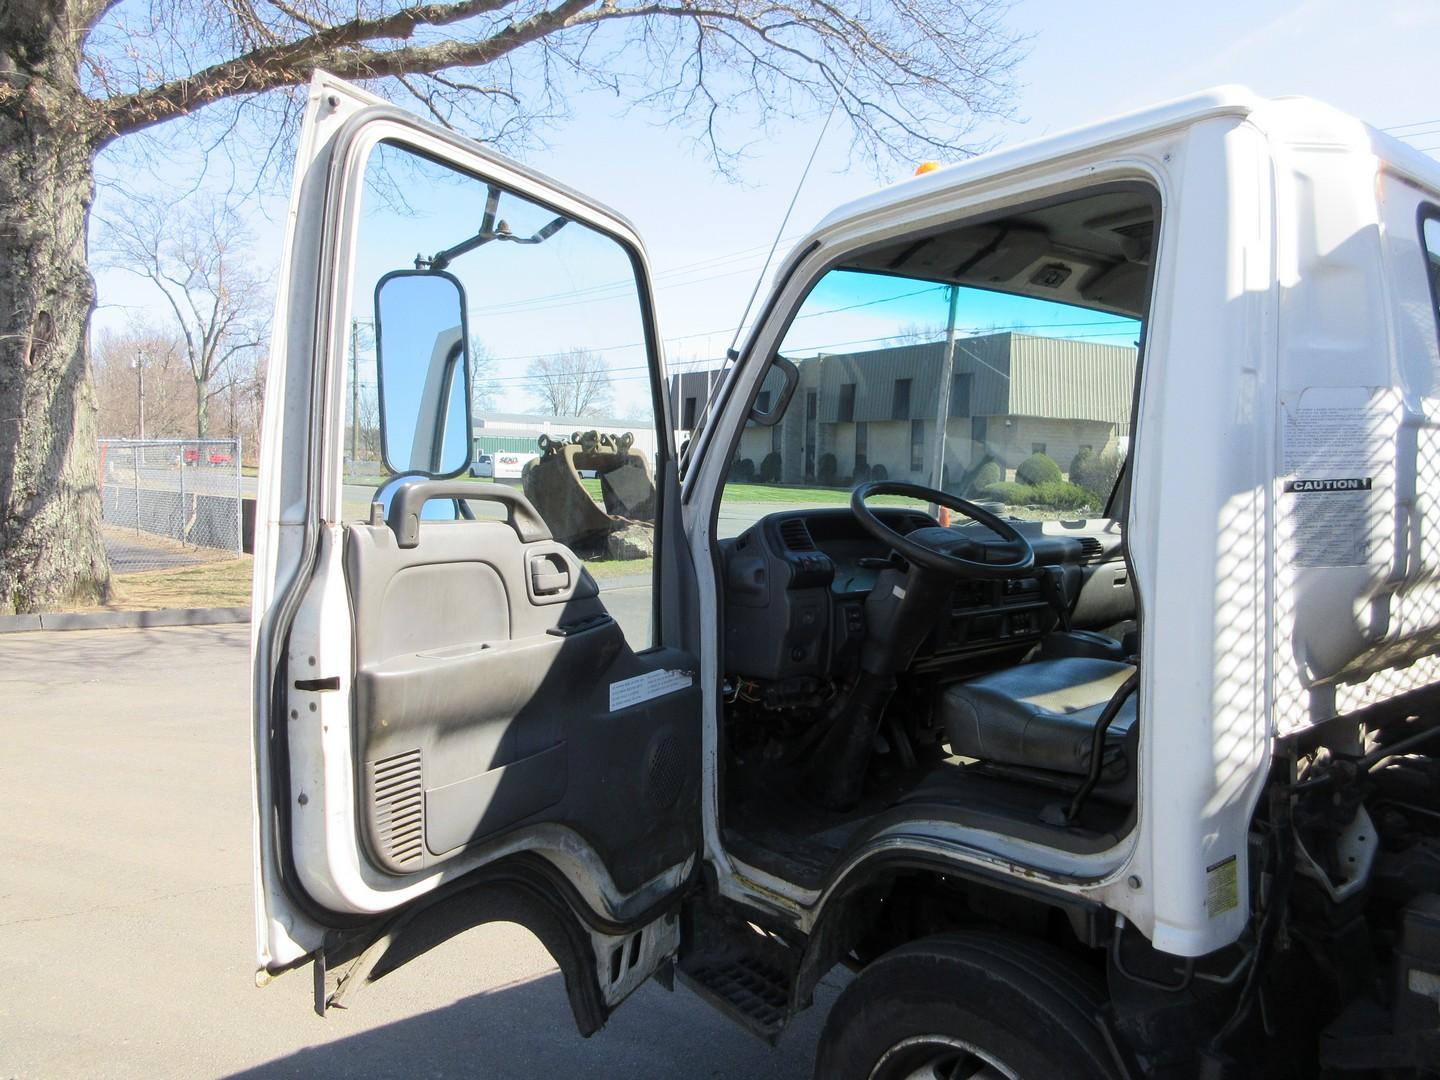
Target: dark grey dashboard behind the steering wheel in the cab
{"points": [[797, 585]]}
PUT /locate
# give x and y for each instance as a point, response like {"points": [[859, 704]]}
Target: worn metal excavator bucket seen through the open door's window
{"points": [[620, 529]]}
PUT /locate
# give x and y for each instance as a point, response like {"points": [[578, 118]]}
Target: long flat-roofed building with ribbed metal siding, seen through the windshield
{"points": [[1012, 395]]}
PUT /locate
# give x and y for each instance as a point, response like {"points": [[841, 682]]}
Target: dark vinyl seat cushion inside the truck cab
{"points": [[1042, 716]]}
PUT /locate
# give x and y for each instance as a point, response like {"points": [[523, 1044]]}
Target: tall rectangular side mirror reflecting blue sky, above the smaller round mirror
{"points": [[423, 359]]}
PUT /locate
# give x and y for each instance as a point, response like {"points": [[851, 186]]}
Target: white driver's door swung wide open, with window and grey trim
{"points": [[456, 721]]}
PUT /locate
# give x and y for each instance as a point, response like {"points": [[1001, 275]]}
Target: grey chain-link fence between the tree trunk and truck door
{"points": [[169, 502]]}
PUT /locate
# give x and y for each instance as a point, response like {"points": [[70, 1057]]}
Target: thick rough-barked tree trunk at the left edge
{"points": [[51, 548]]}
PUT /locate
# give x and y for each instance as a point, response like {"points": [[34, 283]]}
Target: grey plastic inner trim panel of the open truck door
{"points": [[482, 706]]}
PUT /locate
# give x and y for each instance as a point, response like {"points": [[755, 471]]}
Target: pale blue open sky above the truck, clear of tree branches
{"points": [[708, 237]]}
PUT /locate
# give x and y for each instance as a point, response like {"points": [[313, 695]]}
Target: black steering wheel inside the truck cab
{"points": [[940, 549]]}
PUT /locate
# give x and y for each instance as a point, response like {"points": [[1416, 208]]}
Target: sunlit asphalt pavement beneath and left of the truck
{"points": [[126, 919]]}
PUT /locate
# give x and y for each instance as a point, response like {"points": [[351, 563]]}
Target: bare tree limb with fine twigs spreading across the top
{"points": [[911, 77]]}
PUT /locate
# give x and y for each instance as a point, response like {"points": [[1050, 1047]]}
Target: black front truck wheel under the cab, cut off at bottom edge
{"points": [[967, 1006]]}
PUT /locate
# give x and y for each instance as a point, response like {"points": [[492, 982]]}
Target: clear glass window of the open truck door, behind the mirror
{"points": [[561, 397]]}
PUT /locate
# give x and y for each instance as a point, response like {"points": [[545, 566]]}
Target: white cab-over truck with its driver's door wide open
{"points": [[1043, 618]]}
